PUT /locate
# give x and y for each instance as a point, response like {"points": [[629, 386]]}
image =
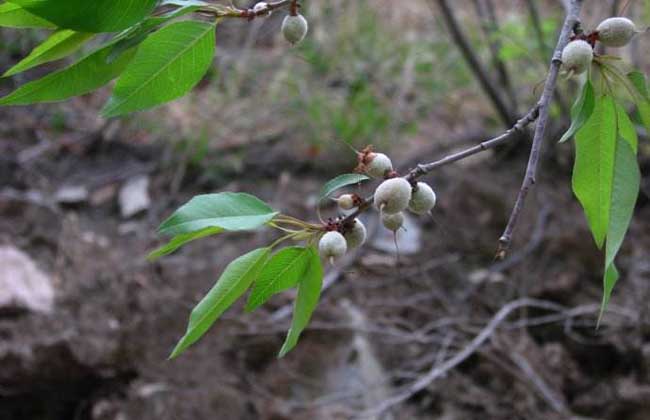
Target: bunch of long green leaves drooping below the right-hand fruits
{"points": [[606, 175]]}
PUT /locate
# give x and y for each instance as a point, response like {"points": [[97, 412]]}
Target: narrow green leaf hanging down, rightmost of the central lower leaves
{"points": [[309, 290]]}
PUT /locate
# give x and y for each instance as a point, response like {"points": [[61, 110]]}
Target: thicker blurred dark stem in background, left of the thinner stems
{"points": [[475, 65]]}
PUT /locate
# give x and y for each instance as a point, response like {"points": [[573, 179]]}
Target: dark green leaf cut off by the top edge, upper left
{"points": [[90, 16]]}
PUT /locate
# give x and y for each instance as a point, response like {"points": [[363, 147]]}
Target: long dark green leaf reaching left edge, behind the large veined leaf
{"points": [[86, 75]]}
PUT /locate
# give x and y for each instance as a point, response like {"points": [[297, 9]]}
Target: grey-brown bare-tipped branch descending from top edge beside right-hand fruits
{"points": [[570, 22]]}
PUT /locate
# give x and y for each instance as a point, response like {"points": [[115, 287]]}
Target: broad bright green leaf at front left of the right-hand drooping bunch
{"points": [[594, 166]]}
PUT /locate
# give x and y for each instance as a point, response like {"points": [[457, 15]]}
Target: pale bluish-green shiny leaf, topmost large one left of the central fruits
{"points": [[229, 211]]}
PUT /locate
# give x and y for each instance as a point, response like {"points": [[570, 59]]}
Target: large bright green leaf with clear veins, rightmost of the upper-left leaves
{"points": [[169, 63]]}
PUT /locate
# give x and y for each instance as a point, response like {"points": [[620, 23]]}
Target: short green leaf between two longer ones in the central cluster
{"points": [[283, 271]]}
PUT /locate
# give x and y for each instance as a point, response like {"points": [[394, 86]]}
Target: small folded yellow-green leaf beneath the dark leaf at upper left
{"points": [[60, 44]]}
